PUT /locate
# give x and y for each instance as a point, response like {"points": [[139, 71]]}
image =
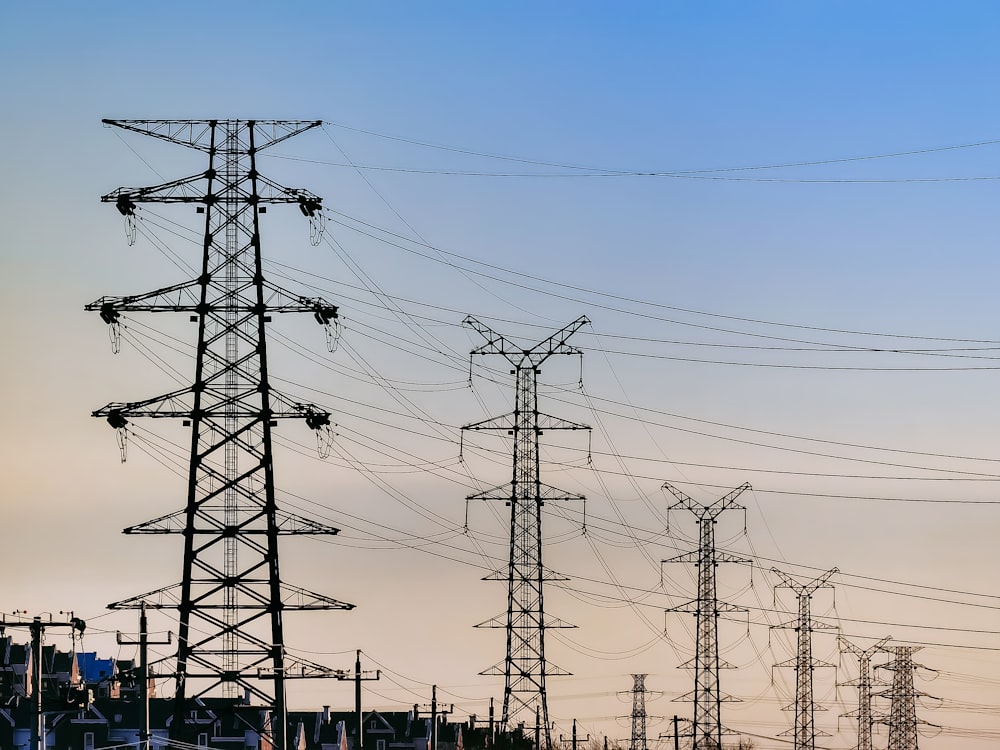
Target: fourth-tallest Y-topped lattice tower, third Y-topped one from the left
{"points": [[804, 731]]}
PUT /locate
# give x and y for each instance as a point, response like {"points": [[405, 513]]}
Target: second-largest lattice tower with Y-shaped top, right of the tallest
{"points": [[525, 667]]}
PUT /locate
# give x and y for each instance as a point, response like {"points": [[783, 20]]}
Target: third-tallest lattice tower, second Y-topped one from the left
{"points": [[706, 696]]}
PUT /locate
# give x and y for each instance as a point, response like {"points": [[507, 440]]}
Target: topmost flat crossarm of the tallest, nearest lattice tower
{"points": [[200, 134]]}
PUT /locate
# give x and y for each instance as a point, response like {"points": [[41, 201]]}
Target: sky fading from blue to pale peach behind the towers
{"points": [[769, 303]]}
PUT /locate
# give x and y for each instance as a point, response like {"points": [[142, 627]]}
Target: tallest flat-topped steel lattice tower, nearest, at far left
{"points": [[231, 598]]}
